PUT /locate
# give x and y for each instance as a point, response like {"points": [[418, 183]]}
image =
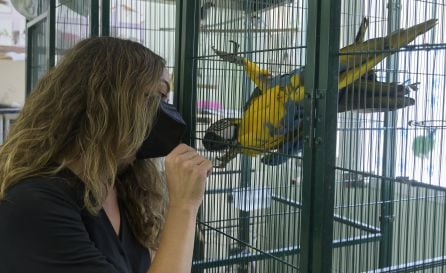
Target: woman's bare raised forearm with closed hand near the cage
{"points": [[186, 173]]}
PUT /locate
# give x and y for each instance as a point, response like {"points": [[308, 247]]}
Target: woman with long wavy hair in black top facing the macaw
{"points": [[74, 194]]}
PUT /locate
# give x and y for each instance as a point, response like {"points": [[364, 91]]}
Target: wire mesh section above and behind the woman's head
{"points": [[151, 23]]}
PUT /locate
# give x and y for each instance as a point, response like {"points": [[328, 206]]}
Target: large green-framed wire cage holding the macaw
{"points": [[367, 192]]}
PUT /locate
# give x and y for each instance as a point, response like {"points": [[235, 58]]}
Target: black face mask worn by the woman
{"points": [[166, 133]]}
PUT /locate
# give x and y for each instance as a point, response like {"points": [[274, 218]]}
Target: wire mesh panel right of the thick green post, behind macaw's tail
{"points": [[390, 178]]}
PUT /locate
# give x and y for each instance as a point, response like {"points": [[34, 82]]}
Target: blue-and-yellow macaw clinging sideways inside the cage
{"points": [[272, 116]]}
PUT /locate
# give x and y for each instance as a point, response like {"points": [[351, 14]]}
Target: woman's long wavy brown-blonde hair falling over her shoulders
{"points": [[95, 108]]}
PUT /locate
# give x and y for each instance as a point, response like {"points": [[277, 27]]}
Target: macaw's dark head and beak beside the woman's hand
{"points": [[221, 134]]}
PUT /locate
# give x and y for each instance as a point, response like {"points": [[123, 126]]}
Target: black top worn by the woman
{"points": [[44, 228]]}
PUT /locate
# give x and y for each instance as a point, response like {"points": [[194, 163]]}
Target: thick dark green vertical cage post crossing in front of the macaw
{"points": [[321, 82]]}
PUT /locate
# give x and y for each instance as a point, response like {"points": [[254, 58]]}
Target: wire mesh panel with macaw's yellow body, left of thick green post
{"points": [[250, 217]]}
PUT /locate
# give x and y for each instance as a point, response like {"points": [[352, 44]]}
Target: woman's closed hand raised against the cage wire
{"points": [[186, 173]]}
